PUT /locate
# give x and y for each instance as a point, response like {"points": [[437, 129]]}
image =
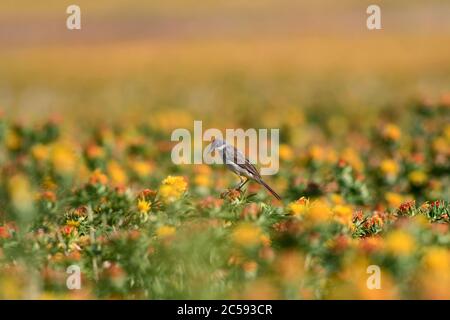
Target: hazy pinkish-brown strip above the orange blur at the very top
{"points": [[43, 23]]}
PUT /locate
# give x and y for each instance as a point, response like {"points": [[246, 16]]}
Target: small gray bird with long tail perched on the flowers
{"points": [[239, 164]]}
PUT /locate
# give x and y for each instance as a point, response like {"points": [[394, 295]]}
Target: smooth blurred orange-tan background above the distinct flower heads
{"points": [[225, 57]]}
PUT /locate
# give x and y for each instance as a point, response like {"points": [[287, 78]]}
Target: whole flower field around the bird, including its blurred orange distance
{"points": [[87, 181]]}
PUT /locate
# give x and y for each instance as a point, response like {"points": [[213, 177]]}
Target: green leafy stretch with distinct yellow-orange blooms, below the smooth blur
{"points": [[106, 205]]}
